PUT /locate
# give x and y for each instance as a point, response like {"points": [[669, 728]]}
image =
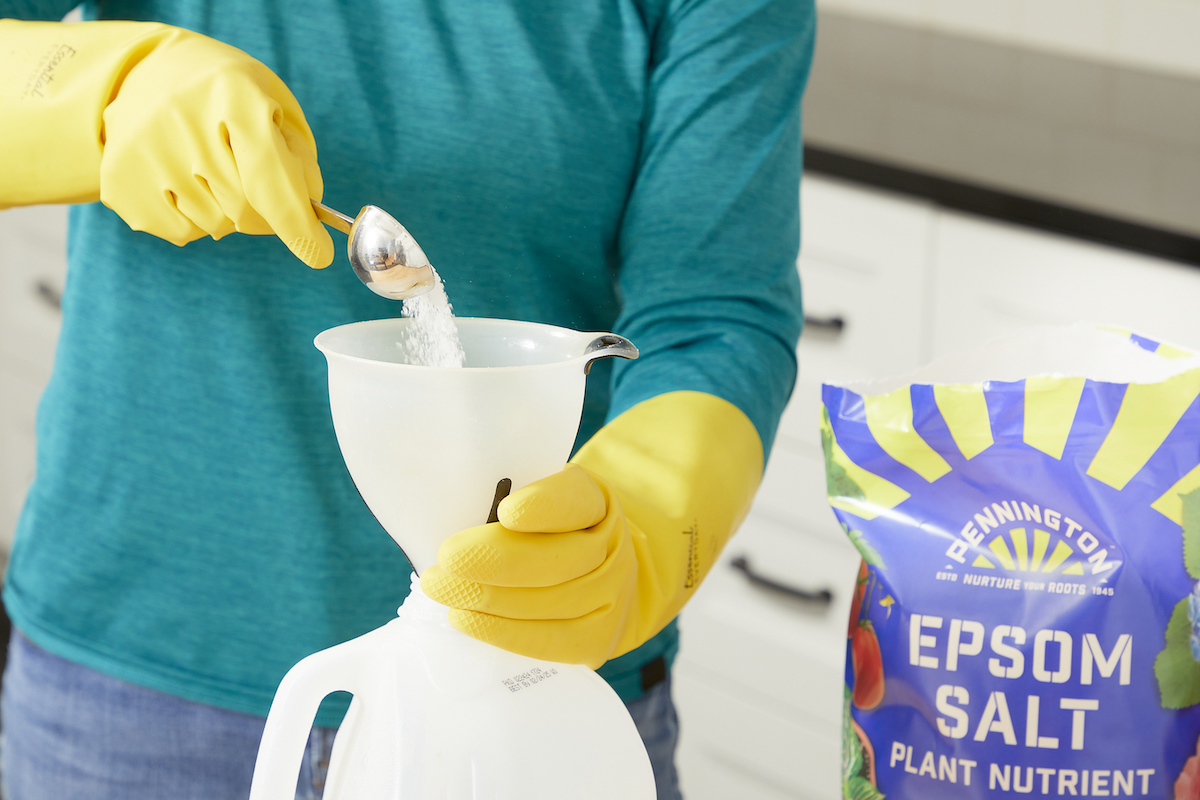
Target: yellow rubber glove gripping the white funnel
{"points": [[592, 562]]}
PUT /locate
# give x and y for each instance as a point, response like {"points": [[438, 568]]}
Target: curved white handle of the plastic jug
{"points": [[290, 721]]}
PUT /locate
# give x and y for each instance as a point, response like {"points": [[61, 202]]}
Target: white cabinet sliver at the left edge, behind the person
{"points": [[33, 273]]}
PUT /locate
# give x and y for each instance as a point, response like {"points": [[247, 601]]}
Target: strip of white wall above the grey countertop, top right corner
{"points": [[1160, 35]]}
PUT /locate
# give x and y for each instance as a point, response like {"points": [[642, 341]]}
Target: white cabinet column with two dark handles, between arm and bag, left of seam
{"points": [[759, 681]]}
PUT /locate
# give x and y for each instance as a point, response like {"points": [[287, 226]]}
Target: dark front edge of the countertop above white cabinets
{"points": [[974, 199]]}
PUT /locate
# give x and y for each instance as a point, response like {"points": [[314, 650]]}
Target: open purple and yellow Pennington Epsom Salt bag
{"points": [[1028, 619]]}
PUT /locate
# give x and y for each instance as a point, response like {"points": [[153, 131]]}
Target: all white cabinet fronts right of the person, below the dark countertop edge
{"points": [[759, 681]]}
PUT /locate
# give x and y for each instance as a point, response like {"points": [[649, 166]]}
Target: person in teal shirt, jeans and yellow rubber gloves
{"points": [[191, 532]]}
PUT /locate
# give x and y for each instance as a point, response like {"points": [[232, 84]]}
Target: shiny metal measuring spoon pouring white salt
{"points": [[383, 254]]}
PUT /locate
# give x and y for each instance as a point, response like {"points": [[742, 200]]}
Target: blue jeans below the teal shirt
{"points": [[71, 733]]}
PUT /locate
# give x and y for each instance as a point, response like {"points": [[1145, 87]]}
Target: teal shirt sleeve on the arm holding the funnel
{"points": [[711, 233]]}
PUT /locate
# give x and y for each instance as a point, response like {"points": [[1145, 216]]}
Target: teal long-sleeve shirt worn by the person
{"points": [[628, 166]]}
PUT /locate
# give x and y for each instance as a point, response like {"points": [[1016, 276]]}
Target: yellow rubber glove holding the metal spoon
{"points": [[181, 135]]}
